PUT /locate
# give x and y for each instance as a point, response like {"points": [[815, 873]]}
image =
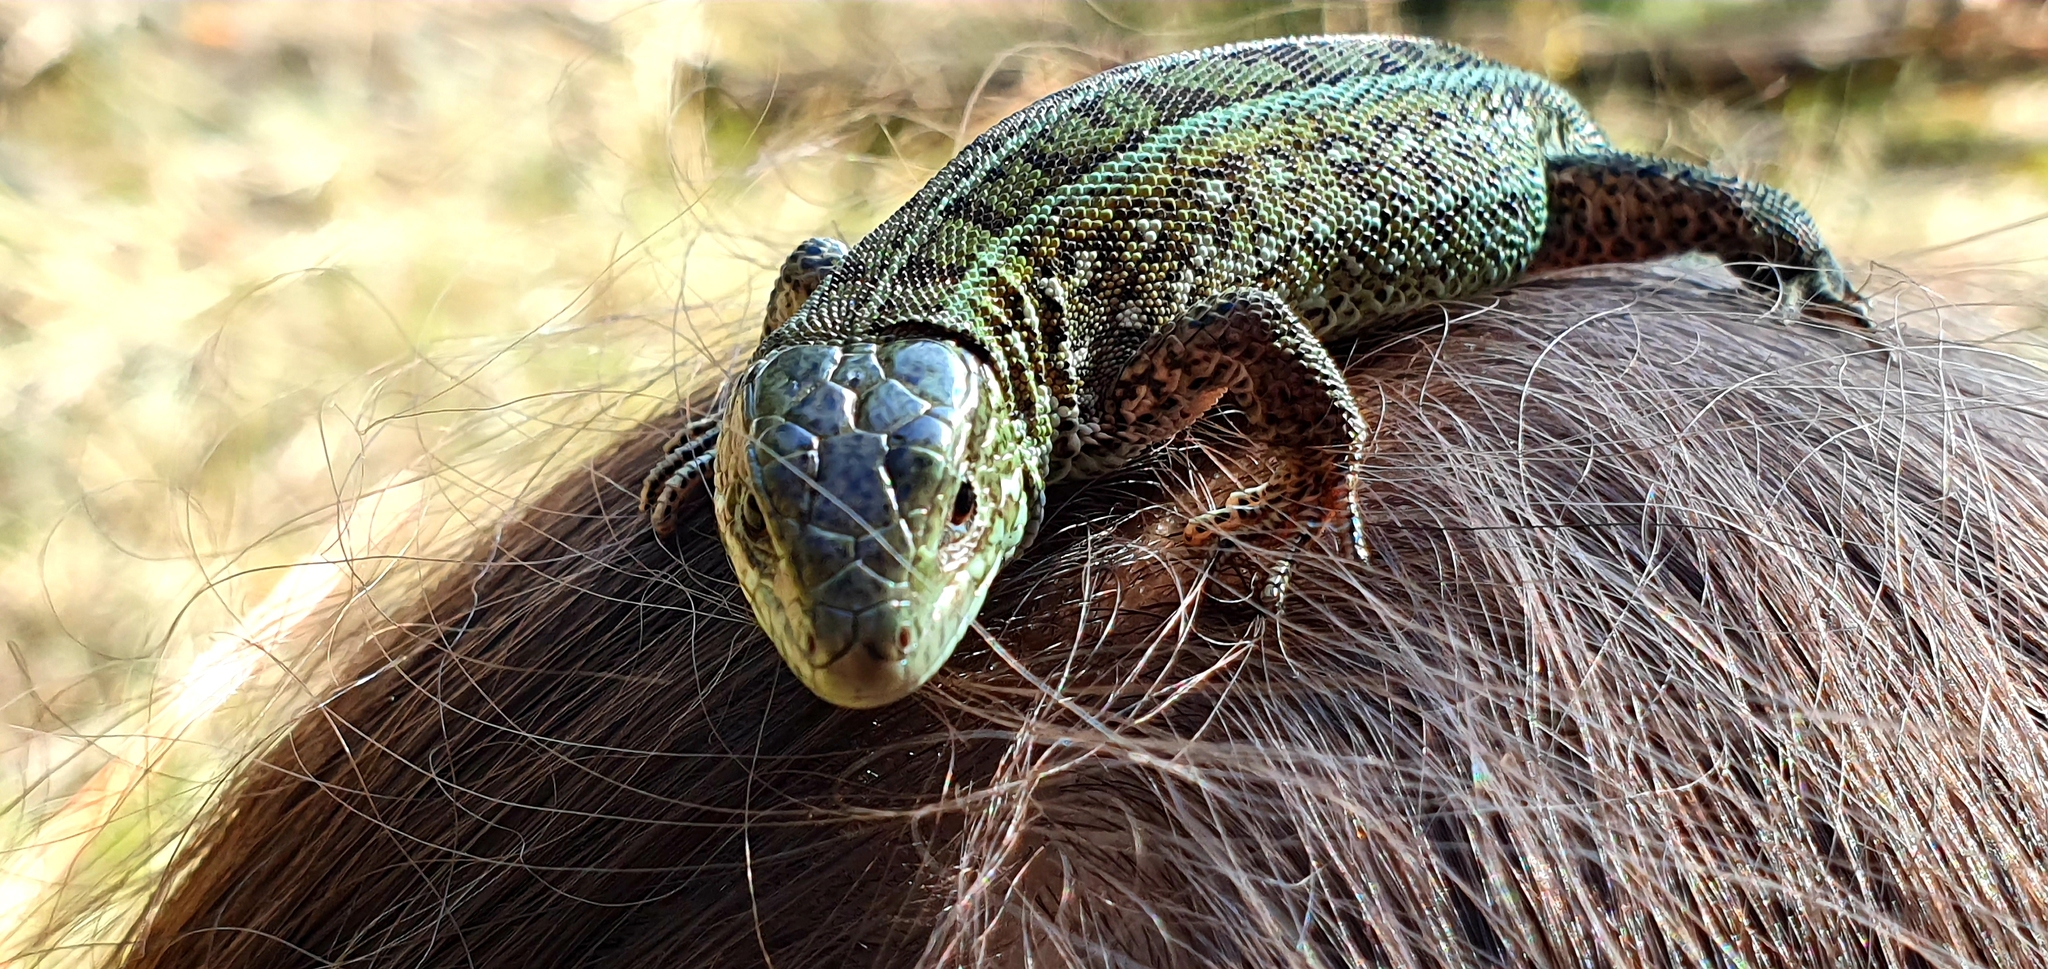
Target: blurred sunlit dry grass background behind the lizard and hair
{"points": [[269, 267]]}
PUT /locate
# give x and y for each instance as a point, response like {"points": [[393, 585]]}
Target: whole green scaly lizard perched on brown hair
{"points": [[1105, 267]]}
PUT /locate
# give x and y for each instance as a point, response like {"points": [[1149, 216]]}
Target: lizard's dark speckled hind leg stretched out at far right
{"points": [[1627, 208]]}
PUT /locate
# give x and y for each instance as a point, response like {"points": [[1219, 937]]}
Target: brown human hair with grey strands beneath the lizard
{"points": [[1689, 636]]}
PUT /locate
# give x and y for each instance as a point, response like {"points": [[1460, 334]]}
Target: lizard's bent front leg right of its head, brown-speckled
{"points": [[1254, 353]]}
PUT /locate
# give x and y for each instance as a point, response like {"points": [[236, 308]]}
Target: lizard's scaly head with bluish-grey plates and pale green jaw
{"points": [[867, 501]]}
